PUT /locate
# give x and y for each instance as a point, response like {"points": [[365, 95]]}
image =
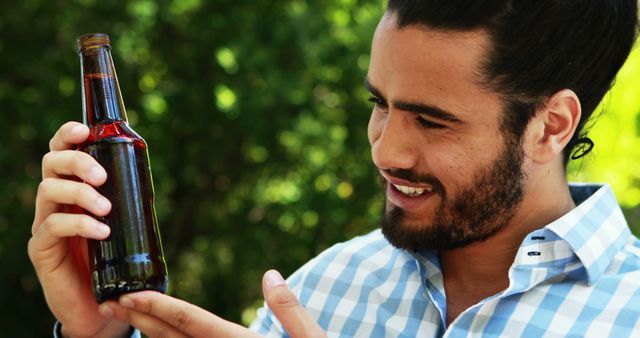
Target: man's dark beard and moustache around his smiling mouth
{"points": [[477, 211]]}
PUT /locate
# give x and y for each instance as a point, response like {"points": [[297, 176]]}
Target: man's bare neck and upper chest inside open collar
{"points": [[480, 270]]}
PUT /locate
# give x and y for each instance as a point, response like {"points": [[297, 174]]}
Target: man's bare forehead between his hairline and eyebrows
{"points": [[442, 68]]}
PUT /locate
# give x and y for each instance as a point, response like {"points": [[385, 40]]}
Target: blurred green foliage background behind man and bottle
{"points": [[256, 120]]}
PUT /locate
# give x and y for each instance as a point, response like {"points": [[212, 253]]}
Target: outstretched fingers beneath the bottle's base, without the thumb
{"points": [[145, 309]]}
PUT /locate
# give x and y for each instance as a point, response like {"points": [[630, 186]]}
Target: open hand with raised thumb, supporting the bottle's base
{"points": [[158, 315]]}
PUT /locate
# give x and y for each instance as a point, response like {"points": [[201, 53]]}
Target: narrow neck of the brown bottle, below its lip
{"points": [[101, 98]]}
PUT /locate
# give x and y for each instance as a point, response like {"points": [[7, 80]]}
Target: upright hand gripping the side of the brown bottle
{"points": [[58, 246]]}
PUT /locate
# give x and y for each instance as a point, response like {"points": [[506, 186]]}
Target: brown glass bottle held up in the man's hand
{"points": [[131, 258]]}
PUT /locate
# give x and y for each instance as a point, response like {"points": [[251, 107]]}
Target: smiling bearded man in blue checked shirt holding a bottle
{"points": [[478, 107]]}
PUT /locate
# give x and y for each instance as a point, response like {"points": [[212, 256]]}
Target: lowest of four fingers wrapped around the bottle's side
{"points": [[60, 225]]}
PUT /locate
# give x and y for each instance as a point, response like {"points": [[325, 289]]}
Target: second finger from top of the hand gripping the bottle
{"points": [[73, 163]]}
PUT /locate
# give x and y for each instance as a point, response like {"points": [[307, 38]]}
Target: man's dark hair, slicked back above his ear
{"points": [[538, 48]]}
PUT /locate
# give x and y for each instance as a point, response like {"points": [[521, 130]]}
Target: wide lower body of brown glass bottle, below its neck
{"points": [[131, 258]]}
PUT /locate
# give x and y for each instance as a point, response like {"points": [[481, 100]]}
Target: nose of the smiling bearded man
{"points": [[393, 144]]}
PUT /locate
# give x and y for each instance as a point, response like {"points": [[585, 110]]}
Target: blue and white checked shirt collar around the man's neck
{"points": [[585, 240]]}
